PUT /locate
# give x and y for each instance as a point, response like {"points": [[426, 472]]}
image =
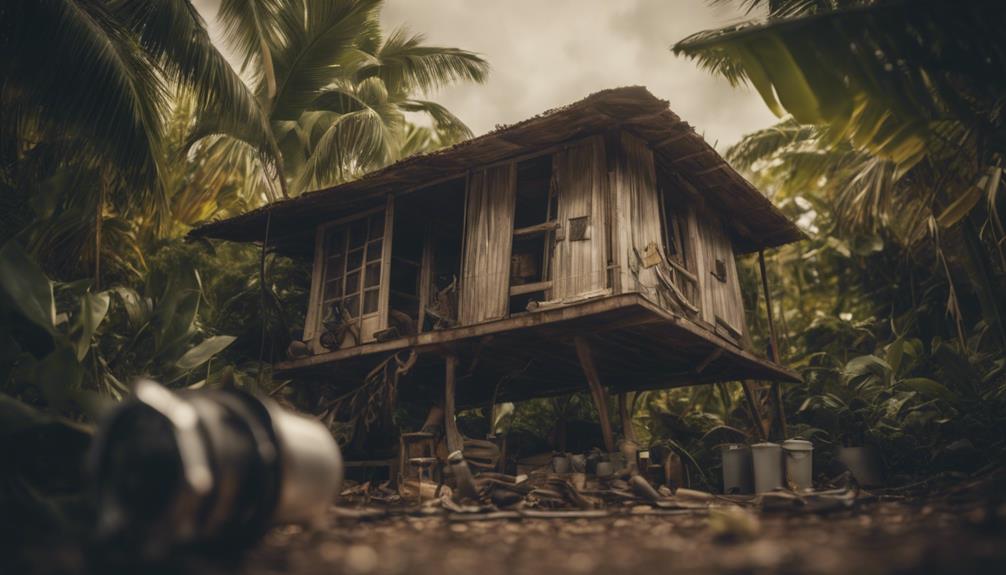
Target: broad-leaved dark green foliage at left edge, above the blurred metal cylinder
{"points": [[67, 344]]}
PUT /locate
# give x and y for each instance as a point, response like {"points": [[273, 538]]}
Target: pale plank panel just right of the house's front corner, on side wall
{"points": [[638, 214]]}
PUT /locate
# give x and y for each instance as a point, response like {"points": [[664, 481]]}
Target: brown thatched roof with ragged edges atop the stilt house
{"points": [[754, 222]]}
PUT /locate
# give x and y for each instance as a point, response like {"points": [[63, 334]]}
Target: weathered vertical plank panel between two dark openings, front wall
{"points": [[485, 282]]}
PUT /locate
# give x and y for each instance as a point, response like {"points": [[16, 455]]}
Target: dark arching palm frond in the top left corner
{"points": [[75, 72]]}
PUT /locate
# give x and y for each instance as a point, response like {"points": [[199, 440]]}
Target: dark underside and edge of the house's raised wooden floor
{"points": [[635, 346]]}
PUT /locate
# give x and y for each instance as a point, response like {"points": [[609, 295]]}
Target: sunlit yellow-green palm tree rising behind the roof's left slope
{"points": [[337, 92]]}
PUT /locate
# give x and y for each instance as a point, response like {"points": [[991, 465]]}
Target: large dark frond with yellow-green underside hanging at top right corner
{"points": [[879, 74]]}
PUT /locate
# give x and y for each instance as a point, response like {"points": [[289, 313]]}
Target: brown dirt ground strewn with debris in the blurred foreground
{"points": [[904, 536]]}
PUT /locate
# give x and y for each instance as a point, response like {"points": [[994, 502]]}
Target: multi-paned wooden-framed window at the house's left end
{"points": [[354, 267]]}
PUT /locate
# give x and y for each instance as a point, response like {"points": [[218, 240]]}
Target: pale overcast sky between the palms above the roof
{"points": [[547, 54]]}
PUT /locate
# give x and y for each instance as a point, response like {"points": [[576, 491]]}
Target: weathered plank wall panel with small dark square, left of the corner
{"points": [[581, 266]]}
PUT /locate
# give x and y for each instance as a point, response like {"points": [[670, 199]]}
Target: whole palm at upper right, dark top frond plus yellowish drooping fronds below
{"points": [[897, 104]]}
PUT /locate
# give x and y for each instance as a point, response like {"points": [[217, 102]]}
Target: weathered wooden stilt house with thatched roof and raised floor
{"points": [[589, 248]]}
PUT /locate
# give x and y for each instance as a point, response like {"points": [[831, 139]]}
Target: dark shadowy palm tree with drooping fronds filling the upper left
{"points": [[87, 85]]}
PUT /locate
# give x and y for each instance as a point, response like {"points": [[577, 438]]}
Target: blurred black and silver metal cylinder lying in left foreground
{"points": [[205, 467]]}
